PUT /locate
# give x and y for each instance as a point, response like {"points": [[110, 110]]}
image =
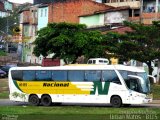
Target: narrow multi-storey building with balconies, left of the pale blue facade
{"points": [[28, 26]]}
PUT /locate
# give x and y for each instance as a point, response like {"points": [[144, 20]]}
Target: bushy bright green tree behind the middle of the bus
{"points": [[68, 41]]}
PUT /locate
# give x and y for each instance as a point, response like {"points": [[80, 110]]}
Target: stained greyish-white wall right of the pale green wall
{"points": [[116, 17]]}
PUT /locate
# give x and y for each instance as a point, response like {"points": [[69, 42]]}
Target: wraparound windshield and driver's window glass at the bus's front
{"points": [[135, 84]]}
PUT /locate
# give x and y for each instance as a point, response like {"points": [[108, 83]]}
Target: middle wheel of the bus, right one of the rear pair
{"points": [[46, 100]]}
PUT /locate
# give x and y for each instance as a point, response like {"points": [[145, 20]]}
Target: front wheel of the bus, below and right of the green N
{"points": [[116, 101]]}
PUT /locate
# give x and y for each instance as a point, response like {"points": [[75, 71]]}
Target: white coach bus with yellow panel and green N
{"points": [[115, 84]]}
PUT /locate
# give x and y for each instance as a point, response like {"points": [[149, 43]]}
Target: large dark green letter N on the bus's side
{"points": [[102, 90]]}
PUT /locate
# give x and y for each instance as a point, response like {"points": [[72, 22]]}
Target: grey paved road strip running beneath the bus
{"points": [[6, 102]]}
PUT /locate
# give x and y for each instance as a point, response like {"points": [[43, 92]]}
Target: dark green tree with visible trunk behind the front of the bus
{"points": [[142, 43]]}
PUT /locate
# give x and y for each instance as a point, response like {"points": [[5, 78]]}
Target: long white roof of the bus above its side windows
{"points": [[82, 67]]}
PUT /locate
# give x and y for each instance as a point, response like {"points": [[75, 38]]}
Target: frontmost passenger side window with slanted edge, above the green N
{"points": [[110, 76]]}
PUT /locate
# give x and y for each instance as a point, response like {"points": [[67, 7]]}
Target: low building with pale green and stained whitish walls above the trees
{"points": [[114, 16]]}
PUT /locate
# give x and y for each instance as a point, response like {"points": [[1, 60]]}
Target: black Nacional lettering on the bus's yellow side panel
{"points": [[55, 84]]}
